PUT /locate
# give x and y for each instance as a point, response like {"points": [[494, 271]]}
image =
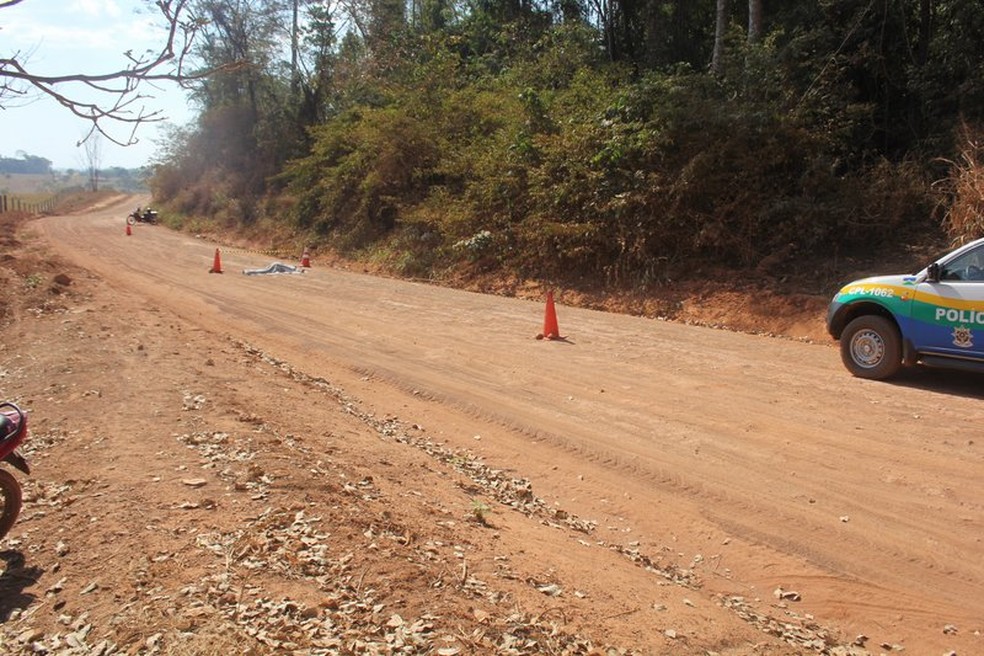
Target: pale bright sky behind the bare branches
{"points": [[61, 37]]}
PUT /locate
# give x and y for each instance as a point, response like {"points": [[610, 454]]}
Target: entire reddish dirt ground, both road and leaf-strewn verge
{"points": [[338, 463]]}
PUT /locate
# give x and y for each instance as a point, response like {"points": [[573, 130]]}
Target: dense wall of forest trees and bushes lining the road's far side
{"points": [[506, 139]]}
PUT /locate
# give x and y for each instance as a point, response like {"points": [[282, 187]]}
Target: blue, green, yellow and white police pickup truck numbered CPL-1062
{"points": [[935, 317]]}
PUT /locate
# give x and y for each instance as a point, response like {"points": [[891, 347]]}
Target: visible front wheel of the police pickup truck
{"points": [[871, 347]]}
